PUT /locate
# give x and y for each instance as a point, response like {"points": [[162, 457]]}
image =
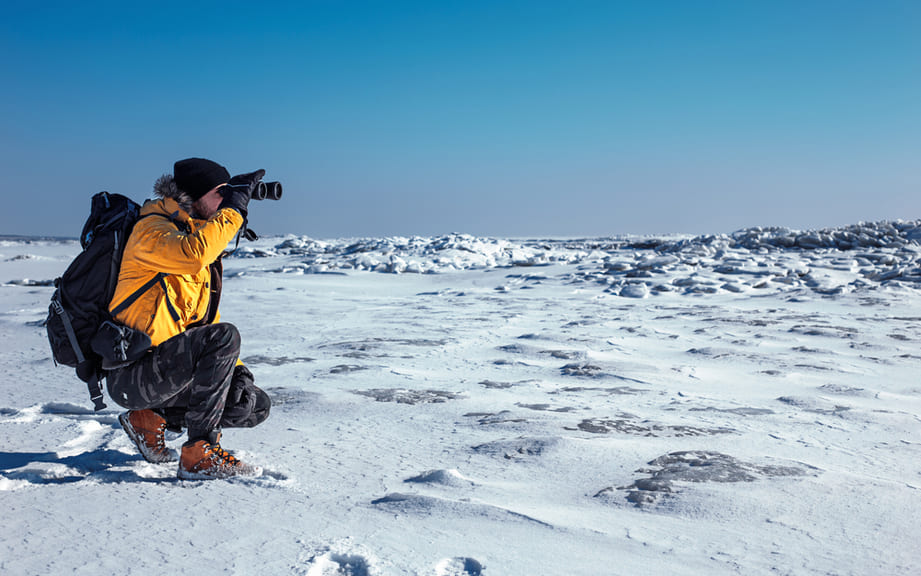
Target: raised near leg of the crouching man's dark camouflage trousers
{"points": [[190, 373]]}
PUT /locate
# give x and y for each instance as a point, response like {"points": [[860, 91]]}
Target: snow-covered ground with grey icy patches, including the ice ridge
{"points": [[734, 404]]}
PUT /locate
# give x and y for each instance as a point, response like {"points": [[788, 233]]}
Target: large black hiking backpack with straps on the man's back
{"points": [[80, 304]]}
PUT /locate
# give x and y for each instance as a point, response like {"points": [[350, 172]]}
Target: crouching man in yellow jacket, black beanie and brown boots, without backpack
{"points": [[192, 377]]}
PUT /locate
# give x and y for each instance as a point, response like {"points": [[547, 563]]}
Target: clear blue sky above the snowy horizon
{"points": [[524, 118]]}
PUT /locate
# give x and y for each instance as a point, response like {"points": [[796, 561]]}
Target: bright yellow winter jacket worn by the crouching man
{"points": [[157, 245]]}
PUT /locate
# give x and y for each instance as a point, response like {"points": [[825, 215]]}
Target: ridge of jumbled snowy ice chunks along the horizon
{"points": [[830, 261]]}
